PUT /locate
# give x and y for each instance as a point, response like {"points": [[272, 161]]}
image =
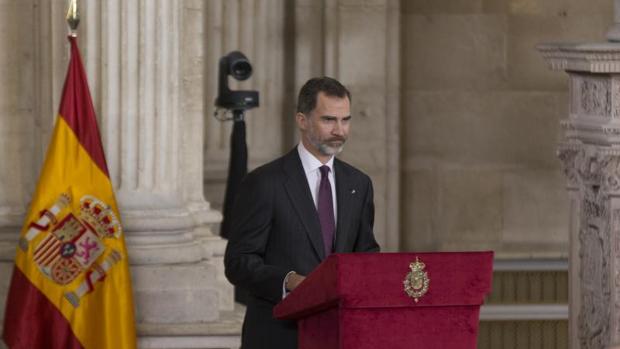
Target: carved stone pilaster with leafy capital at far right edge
{"points": [[595, 172]]}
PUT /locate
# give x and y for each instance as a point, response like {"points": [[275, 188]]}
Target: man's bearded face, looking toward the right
{"points": [[326, 129]]}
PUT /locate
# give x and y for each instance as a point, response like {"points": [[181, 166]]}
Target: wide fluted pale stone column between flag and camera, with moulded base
{"points": [[146, 78]]}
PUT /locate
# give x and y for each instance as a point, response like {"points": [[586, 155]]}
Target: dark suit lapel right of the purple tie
{"points": [[344, 194]]}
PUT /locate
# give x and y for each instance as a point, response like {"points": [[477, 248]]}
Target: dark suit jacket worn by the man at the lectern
{"points": [[276, 229]]}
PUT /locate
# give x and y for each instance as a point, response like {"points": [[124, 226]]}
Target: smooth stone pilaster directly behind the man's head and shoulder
{"points": [[358, 42]]}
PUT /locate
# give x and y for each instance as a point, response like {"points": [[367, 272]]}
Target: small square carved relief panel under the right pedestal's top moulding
{"points": [[595, 96]]}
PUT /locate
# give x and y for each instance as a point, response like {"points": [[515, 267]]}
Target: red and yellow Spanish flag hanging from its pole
{"points": [[71, 286]]}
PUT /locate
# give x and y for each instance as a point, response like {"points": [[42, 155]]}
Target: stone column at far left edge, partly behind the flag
{"points": [[17, 130]]}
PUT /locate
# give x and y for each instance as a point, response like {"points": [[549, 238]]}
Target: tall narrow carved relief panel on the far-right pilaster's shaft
{"points": [[594, 238]]}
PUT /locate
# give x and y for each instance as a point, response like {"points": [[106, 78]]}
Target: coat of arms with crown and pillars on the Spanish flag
{"points": [[72, 244]]}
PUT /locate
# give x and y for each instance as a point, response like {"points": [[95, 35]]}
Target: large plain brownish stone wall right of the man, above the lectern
{"points": [[480, 123]]}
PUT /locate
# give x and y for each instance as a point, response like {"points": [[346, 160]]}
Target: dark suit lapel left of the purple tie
{"points": [[299, 194]]}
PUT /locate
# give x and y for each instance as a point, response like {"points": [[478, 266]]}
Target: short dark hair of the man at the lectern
{"points": [[306, 102]]}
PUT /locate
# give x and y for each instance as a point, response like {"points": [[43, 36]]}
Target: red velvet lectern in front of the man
{"points": [[357, 301]]}
